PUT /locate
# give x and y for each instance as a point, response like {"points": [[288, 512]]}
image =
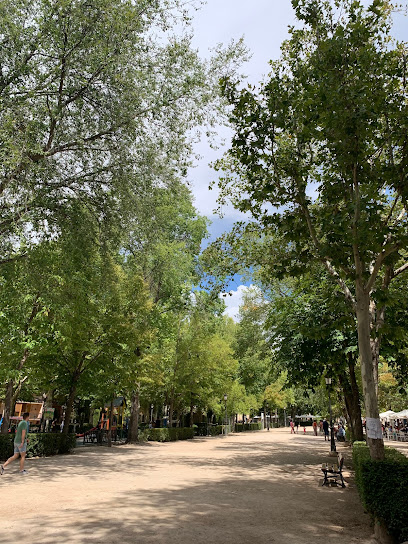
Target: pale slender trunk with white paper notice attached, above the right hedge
{"points": [[374, 430]]}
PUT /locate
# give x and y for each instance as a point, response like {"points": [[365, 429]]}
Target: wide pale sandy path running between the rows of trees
{"points": [[250, 488]]}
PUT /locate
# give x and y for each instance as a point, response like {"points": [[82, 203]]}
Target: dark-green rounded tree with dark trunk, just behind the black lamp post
{"points": [[312, 332]]}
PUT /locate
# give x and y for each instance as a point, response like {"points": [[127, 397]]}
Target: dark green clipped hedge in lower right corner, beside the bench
{"points": [[383, 488]]}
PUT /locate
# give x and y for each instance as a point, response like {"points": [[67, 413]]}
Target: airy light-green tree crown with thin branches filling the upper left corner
{"points": [[97, 99]]}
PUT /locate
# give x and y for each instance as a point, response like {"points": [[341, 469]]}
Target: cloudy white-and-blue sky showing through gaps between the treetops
{"points": [[264, 25]]}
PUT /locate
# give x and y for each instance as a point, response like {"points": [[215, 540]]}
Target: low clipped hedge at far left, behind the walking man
{"points": [[39, 444]]}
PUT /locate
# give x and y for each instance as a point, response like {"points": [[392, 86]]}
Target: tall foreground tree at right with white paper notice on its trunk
{"points": [[331, 121]]}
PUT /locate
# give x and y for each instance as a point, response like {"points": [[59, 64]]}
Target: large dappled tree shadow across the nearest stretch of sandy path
{"points": [[228, 511]]}
